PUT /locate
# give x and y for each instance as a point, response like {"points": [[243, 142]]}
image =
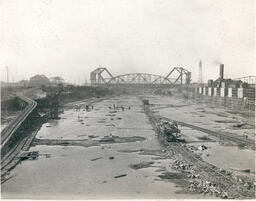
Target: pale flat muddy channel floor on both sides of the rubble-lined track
{"points": [[113, 152]]}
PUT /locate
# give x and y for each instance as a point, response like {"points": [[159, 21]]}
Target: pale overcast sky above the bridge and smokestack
{"points": [[70, 38]]}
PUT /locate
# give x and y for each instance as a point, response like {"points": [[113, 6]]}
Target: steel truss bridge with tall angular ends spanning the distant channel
{"points": [[177, 76]]}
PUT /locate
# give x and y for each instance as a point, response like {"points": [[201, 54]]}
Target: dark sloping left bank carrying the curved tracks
{"points": [[20, 133]]}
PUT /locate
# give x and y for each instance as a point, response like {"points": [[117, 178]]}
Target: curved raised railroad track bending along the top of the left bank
{"points": [[15, 124]]}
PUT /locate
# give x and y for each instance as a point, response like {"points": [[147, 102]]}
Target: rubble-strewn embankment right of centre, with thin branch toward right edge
{"points": [[194, 174]]}
